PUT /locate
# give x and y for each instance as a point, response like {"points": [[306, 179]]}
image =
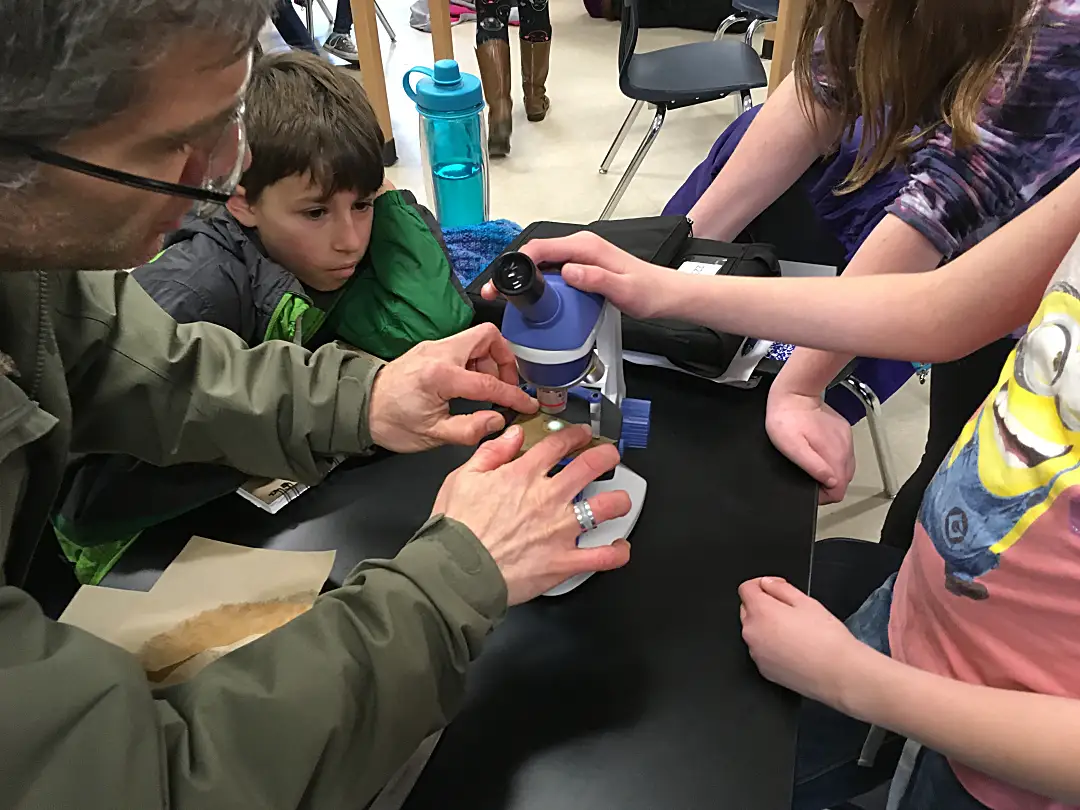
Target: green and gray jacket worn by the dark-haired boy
{"points": [[404, 292]]}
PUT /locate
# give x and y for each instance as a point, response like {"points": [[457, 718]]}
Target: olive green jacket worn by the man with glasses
{"points": [[318, 714]]}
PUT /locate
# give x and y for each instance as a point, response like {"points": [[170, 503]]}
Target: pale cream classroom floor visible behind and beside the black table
{"points": [[552, 174]]}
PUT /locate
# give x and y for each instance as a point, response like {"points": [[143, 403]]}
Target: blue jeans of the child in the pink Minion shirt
{"points": [[830, 746]]}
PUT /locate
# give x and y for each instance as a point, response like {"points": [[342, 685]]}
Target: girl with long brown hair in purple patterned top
{"points": [[909, 131]]}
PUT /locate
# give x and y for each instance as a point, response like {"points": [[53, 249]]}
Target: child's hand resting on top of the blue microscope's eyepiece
{"points": [[592, 265]]}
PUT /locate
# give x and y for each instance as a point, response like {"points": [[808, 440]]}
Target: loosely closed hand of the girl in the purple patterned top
{"points": [[815, 437]]}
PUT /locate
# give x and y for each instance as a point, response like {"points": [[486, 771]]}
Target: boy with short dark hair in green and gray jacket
{"points": [[315, 247]]}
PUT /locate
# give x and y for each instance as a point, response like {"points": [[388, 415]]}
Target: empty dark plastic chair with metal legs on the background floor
{"points": [[673, 78]]}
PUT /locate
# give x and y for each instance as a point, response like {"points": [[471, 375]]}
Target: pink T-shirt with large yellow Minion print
{"points": [[990, 592]]}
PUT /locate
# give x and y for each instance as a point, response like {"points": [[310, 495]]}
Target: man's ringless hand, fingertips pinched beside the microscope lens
{"points": [[410, 409]]}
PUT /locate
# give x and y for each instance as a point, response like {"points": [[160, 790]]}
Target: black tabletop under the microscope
{"points": [[633, 692]]}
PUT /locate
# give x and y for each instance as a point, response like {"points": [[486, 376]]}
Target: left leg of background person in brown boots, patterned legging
{"points": [[493, 56]]}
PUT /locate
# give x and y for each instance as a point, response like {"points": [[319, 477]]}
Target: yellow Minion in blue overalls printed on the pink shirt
{"points": [[1017, 456]]}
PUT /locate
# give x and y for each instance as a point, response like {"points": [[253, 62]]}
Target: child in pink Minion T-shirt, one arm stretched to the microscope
{"points": [[973, 651]]}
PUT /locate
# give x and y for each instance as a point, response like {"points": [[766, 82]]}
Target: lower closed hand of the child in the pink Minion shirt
{"points": [[796, 643]]}
